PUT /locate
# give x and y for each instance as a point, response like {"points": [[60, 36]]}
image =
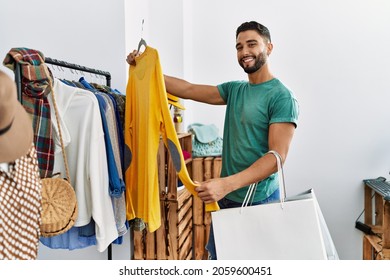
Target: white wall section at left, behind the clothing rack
{"points": [[88, 33]]}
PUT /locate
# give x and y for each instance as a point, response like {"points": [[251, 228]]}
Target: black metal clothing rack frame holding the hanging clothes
{"points": [[18, 80]]}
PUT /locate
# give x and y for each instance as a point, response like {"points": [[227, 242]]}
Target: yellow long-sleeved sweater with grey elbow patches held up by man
{"points": [[147, 118]]}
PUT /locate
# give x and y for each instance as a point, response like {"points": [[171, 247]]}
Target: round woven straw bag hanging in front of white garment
{"points": [[59, 206]]}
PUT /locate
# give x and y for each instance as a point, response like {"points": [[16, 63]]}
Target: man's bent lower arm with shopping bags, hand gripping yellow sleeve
{"points": [[280, 136]]}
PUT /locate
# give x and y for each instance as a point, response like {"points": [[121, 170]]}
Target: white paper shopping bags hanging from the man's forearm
{"points": [[292, 229]]}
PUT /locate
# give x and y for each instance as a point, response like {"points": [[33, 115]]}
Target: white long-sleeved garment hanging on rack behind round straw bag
{"points": [[83, 137]]}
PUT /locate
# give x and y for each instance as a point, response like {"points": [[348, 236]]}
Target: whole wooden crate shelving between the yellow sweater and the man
{"points": [[185, 225]]}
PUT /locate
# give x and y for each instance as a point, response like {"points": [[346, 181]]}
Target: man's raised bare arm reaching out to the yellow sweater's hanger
{"points": [[202, 93]]}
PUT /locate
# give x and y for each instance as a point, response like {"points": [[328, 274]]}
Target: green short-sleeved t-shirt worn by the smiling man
{"points": [[251, 108]]}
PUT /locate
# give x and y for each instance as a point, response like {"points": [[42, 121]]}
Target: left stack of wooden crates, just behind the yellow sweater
{"points": [[174, 239]]}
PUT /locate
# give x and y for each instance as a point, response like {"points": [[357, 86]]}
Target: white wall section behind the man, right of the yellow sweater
{"points": [[334, 55]]}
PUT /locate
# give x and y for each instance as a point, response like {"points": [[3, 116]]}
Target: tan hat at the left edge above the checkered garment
{"points": [[16, 133]]}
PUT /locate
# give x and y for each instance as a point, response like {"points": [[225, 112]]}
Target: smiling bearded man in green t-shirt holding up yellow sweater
{"points": [[261, 115]]}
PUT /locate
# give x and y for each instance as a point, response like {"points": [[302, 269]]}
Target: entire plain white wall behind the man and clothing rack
{"points": [[333, 54]]}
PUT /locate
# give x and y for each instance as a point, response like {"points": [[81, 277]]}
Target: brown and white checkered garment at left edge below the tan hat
{"points": [[20, 208]]}
